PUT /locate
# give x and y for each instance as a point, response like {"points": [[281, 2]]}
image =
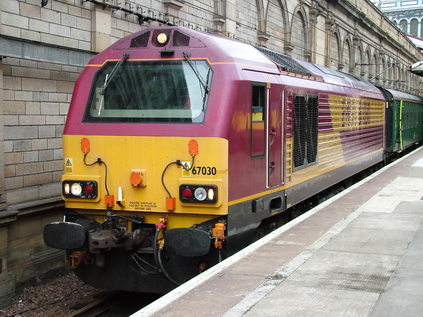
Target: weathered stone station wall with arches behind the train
{"points": [[44, 45]]}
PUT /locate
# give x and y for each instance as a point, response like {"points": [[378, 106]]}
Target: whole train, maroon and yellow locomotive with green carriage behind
{"points": [[179, 144]]}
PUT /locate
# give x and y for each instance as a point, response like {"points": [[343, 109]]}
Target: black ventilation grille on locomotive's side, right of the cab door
{"points": [[305, 130]]}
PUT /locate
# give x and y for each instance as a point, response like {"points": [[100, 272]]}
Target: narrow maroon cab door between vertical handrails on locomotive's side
{"points": [[274, 135]]}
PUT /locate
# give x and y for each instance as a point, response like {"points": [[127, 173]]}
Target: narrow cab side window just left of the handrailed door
{"points": [[258, 103]]}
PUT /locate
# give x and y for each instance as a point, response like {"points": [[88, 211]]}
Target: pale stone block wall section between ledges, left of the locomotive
{"points": [[35, 103]]}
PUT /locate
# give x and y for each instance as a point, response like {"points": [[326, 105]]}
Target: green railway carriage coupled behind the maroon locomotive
{"points": [[404, 120]]}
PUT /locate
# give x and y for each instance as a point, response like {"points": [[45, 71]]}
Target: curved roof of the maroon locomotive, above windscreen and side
{"points": [[222, 47]]}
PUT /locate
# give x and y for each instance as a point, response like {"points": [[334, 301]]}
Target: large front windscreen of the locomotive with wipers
{"points": [[156, 91]]}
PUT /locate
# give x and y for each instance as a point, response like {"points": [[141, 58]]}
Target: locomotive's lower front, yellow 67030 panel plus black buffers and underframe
{"points": [[151, 206]]}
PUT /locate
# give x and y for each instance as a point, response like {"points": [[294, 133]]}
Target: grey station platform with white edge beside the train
{"points": [[358, 254]]}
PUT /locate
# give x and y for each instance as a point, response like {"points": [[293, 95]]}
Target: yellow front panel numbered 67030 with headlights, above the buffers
{"points": [[146, 176]]}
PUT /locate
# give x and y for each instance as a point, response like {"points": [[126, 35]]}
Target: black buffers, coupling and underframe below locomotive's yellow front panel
{"points": [[139, 256]]}
